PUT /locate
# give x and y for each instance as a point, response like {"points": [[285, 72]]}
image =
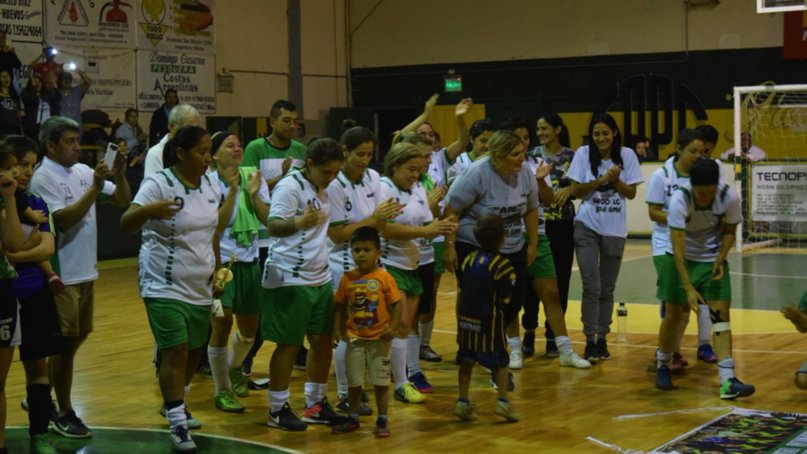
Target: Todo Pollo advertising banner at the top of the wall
{"points": [[176, 26]]}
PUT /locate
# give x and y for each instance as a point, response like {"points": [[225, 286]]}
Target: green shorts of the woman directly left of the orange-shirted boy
{"points": [[292, 312]]}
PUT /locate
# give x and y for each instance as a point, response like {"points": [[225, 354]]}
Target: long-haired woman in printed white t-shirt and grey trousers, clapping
{"points": [[604, 177]]}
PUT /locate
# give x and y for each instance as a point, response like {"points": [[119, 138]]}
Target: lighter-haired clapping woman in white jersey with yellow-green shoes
{"points": [[401, 253]]}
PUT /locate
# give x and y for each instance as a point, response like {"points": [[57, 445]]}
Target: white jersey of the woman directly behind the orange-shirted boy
{"points": [[350, 203]]}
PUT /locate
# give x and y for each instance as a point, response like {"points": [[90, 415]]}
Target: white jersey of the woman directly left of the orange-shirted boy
{"points": [[302, 257]]}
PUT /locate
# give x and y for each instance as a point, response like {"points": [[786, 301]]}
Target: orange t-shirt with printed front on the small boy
{"points": [[369, 297]]}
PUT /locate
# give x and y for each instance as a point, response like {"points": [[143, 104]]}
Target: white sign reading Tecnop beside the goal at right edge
{"points": [[777, 192]]}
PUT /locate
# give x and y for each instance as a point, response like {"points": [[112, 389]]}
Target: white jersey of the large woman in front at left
{"points": [[176, 258]]}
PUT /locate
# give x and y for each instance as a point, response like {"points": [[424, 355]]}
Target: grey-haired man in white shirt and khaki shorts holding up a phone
{"points": [[71, 190]]}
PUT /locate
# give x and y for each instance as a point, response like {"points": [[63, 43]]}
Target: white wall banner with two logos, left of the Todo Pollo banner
{"points": [[90, 24]]}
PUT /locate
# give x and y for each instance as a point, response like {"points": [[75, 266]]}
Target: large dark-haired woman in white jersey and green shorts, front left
{"points": [[177, 209]]}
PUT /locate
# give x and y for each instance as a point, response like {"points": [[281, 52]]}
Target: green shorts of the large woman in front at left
{"points": [[174, 322]]}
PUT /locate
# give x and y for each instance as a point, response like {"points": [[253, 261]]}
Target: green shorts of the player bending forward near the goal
{"points": [[671, 291]]}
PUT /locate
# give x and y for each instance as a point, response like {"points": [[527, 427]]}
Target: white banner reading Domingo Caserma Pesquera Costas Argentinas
{"points": [[191, 75]]}
